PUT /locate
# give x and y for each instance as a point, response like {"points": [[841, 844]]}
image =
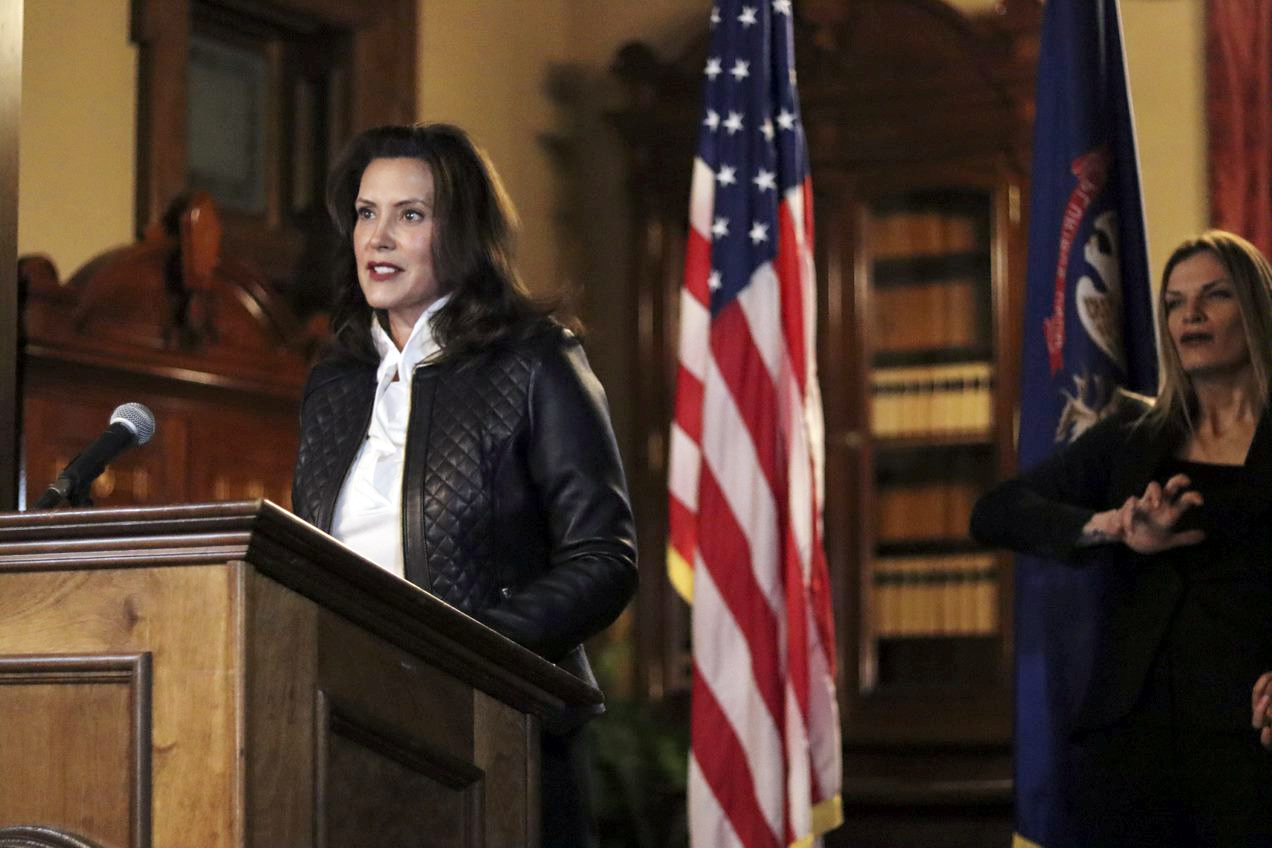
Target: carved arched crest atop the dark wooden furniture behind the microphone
{"points": [[174, 306]]}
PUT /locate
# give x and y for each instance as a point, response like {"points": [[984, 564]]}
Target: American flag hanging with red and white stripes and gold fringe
{"points": [[747, 448]]}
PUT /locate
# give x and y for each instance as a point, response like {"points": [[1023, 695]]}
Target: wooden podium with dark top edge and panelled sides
{"points": [[223, 674]]}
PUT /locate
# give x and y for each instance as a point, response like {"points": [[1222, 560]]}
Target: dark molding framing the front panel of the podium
{"points": [[132, 671]]}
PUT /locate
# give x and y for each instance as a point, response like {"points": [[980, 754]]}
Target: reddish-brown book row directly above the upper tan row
{"points": [[947, 313]]}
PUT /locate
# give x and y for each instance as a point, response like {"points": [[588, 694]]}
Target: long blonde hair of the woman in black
{"points": [[1251, 277]]}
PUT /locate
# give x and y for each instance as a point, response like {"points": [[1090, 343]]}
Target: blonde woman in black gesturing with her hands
{"points": [[1176, 499]]}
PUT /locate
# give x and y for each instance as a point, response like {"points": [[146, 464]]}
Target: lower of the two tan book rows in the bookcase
{"points": [[936, 596]]}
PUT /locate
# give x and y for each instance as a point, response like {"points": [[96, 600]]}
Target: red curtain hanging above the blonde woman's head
{"points": [[1240, 118]]}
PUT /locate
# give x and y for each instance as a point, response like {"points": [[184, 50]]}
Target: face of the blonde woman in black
{"points": [[1205, 318]]}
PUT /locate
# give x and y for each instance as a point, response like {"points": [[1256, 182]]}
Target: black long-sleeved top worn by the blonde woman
{"points": [[1182, 635]]}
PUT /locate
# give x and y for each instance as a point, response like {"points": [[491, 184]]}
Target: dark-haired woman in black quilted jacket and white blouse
{"points": [[455, 433]]}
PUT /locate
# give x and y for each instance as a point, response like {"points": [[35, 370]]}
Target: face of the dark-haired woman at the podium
{"points": [[394, 229]]}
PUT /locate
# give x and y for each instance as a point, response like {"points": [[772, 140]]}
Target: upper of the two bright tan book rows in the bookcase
{"points": [[932, 400]]}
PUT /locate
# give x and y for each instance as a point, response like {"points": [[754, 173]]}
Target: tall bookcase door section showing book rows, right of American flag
{"points": [[923, 279]]}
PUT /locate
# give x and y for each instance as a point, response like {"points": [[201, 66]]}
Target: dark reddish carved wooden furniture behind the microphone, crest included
{"points": [[177, 325]]}
